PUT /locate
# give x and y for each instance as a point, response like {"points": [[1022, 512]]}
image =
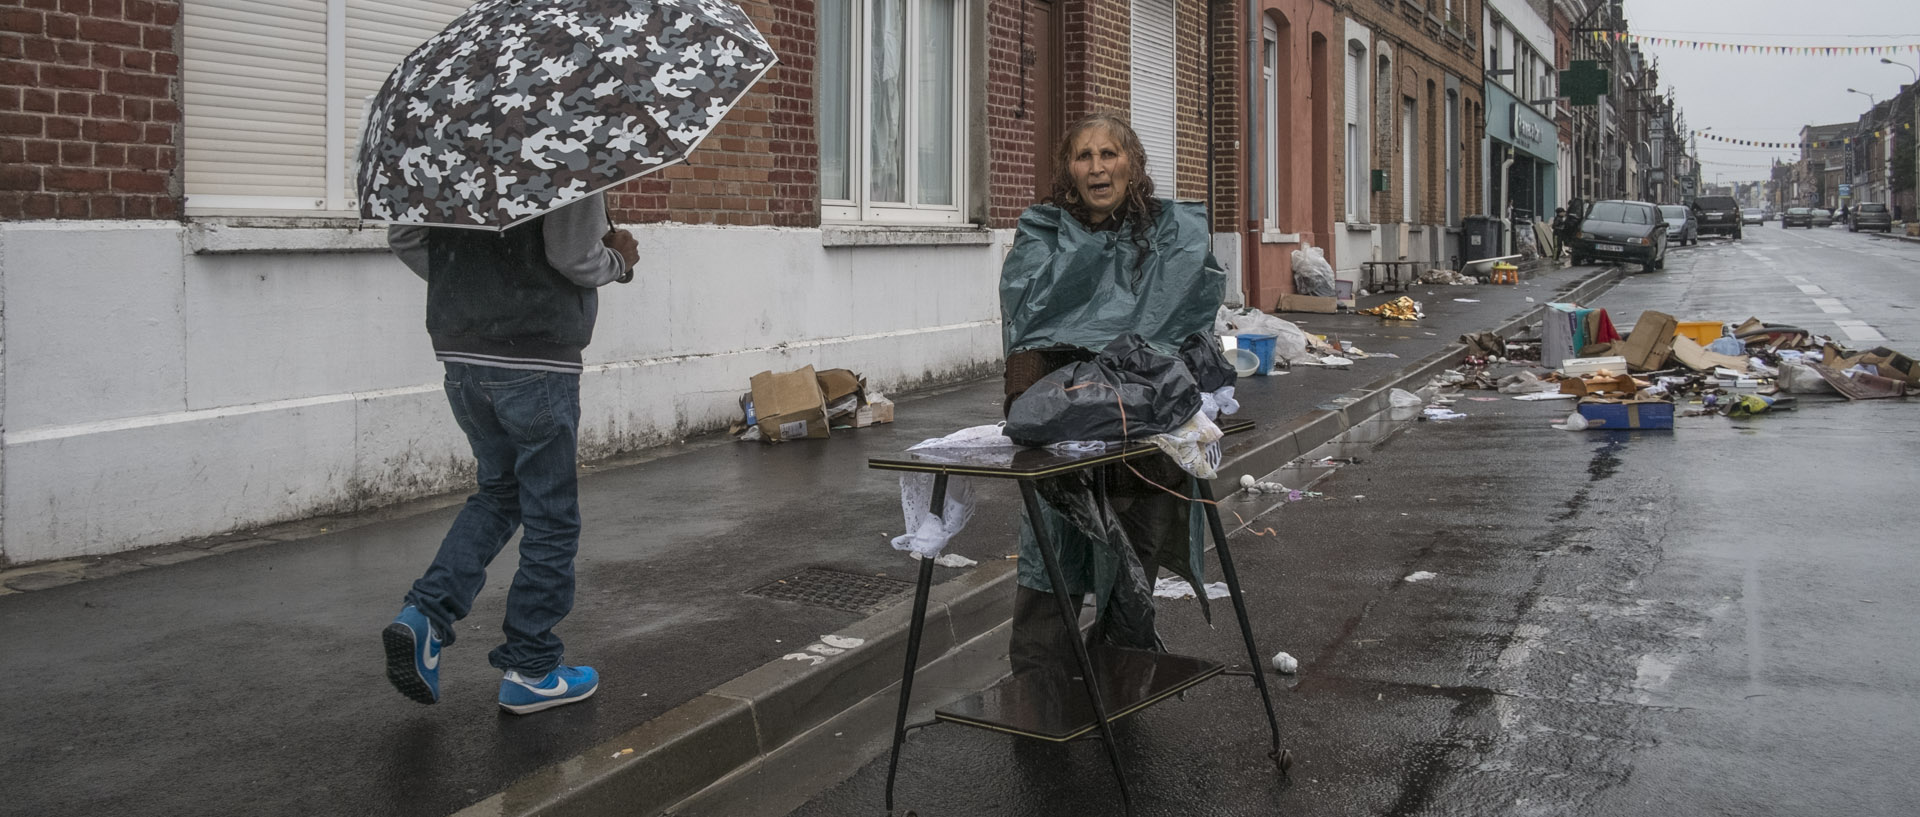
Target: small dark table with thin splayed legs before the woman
{"points": [[1115, 682]]}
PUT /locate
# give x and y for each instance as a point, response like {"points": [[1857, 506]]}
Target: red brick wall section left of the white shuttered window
{"points": [[89, 110]]}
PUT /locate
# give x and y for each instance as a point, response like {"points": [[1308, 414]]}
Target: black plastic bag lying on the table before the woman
{"points": [[1130, 392]]}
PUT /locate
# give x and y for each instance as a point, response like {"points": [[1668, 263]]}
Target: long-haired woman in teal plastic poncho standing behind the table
{"points": [[1105, 258]]}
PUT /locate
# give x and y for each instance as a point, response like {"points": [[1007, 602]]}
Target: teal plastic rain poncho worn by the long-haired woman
{"points": [[1070, 287]]}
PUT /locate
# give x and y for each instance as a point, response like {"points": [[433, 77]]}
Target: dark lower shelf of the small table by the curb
{"points": [[1053, 707]]}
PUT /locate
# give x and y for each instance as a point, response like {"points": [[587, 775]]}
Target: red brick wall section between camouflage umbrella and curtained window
{"points": [[761, 166]]}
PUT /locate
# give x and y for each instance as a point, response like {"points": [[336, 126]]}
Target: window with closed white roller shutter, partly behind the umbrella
{"points": [[274, 91]]}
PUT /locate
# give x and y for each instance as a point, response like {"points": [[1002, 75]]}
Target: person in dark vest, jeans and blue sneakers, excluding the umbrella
{"points": [[510, 314]]}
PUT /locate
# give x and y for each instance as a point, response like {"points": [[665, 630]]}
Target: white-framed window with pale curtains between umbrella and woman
{"points": [[892, 112]]}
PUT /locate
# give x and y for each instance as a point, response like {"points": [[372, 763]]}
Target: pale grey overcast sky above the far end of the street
{"points": [[1769, 99]]}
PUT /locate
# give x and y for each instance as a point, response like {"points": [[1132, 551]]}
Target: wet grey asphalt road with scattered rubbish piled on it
{"points": [[1716, 620]]}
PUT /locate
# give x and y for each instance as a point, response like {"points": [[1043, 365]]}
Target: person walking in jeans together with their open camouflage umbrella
{"points": [[491, 149]]}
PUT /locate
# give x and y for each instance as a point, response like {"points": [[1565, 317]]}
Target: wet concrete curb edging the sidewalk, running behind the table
{"points": [[738, 724]]}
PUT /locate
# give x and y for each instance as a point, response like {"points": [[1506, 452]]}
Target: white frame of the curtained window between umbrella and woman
{"points": [[861, 208]]}
